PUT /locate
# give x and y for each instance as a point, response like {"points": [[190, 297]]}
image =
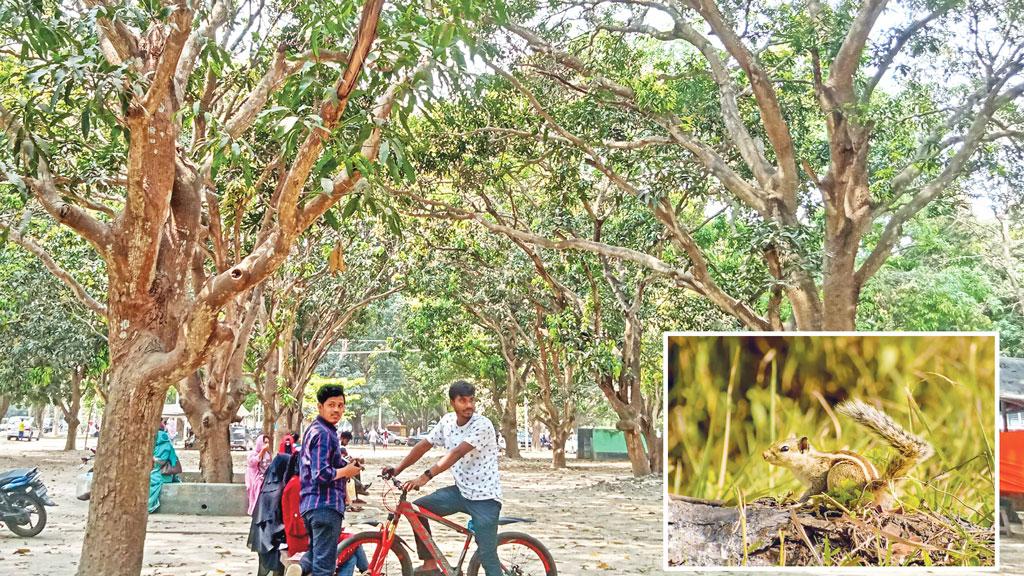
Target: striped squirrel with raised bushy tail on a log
{"points": [[823, 472]]}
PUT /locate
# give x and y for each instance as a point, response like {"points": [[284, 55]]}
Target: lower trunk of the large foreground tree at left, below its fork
{"points": [[115, 533]]}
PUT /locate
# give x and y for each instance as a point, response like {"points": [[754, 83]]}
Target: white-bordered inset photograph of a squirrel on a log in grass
{"points": [[831, 450]]}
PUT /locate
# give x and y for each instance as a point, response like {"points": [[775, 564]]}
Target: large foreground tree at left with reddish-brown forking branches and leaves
{"points": [[163, 98]]}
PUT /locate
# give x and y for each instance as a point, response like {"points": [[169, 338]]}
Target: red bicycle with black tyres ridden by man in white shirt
{"points": [[521, 554]]}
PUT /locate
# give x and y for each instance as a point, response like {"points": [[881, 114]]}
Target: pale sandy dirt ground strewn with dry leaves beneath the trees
{"points": [[594, 518]]}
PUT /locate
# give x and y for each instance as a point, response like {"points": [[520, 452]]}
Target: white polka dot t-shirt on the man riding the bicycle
{"points": [[477, 473]]}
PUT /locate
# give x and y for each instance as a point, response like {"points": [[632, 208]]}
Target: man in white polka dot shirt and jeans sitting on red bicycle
{"points": [[473, 456]]}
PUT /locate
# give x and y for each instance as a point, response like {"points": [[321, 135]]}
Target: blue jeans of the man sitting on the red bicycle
{"points": [[449, 501]]}
